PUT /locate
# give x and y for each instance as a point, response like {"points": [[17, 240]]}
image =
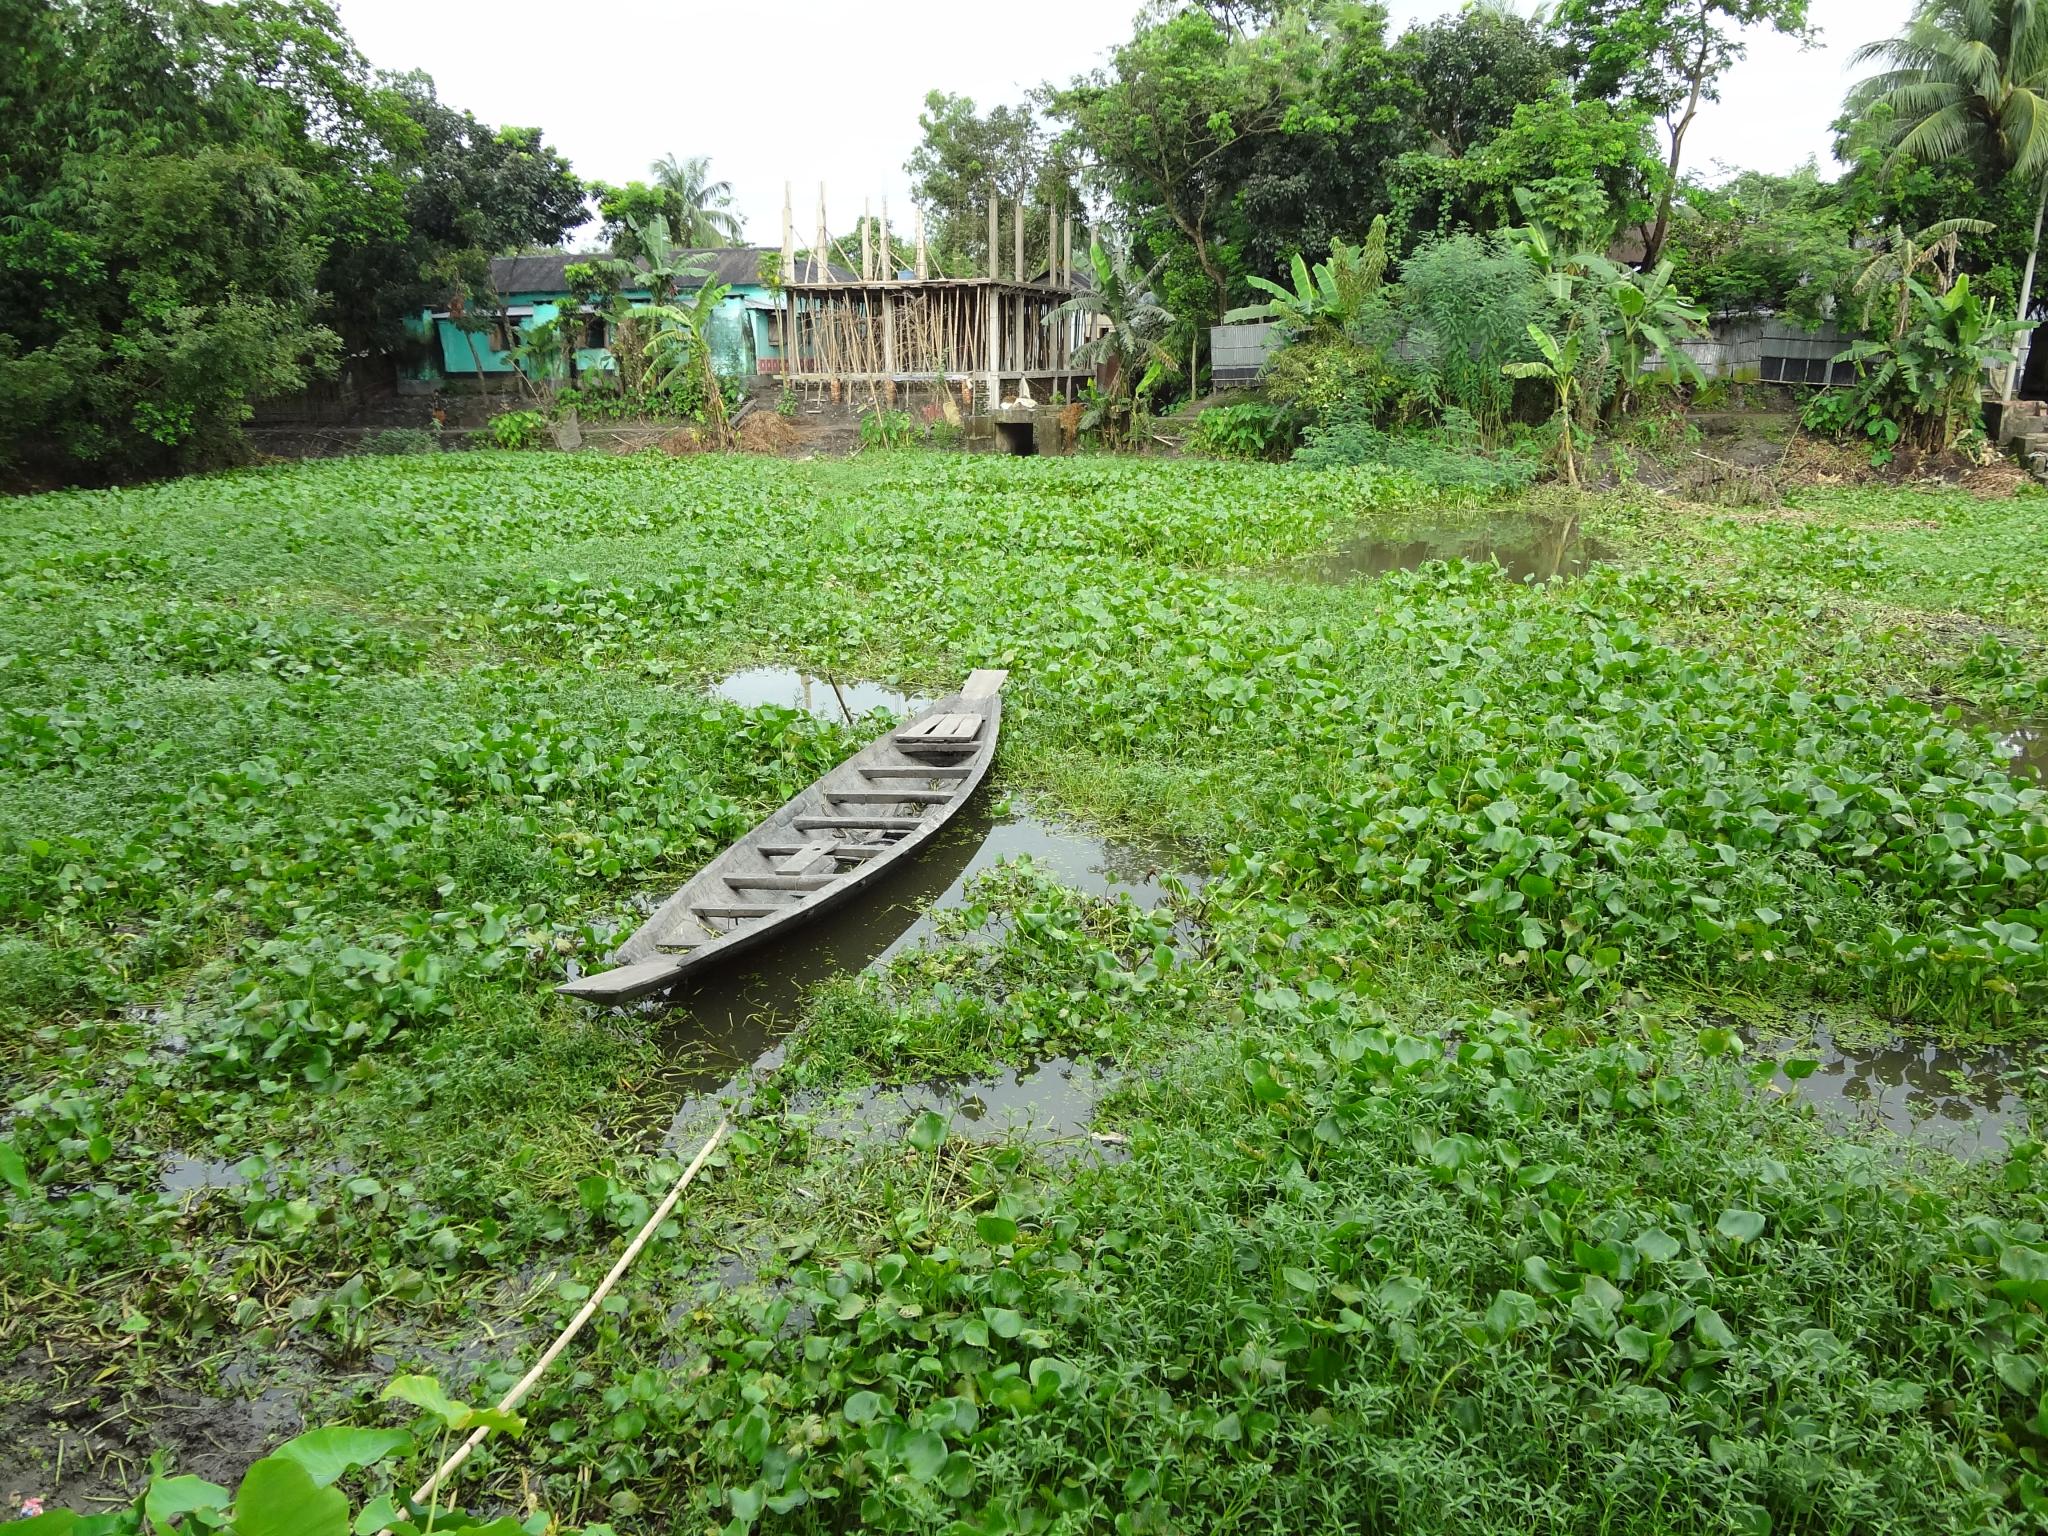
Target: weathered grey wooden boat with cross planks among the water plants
{"points": [[820, 851]]}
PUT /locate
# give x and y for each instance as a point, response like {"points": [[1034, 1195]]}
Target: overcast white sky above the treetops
{"points": [[814, 91]]}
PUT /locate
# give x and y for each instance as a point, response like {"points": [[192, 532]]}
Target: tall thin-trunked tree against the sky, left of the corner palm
{"points": [[1668, 58]]}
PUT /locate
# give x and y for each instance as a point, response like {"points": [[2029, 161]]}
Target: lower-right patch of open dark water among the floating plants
{"points": [[1957, 1101]]}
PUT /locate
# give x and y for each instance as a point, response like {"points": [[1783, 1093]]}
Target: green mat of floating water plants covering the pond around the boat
{"points": [[1439, 1195]]}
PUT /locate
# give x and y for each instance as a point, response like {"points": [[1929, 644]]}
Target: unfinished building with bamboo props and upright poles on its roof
{"points": [[896, 335]]}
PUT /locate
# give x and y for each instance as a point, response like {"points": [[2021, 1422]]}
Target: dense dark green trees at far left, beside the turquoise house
{"points": [[208, 204]]}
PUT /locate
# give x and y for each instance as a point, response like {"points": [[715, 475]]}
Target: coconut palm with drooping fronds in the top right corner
{"points": [[1969, 79]]}
